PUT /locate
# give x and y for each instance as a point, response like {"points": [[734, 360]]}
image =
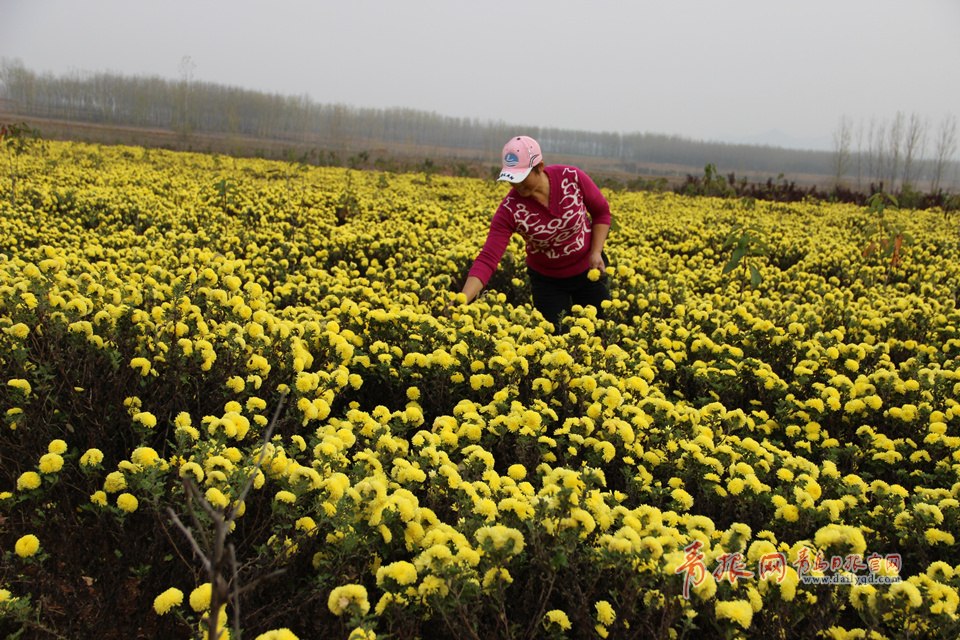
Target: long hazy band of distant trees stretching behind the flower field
{"points": [[189, 106]]}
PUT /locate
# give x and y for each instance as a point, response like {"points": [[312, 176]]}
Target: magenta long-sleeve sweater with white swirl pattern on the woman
{"points": [[558, 239]]}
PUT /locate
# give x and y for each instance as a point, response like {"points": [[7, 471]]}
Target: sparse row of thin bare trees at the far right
{"points": [[903, 150]]}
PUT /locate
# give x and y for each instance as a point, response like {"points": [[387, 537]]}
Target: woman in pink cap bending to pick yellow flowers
{"points": [[564, 220]]}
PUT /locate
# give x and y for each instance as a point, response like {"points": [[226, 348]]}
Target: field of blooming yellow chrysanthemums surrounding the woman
{"points": [[711, 459]]}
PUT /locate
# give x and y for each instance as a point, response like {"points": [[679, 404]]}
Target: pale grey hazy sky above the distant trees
{"points": [[702, 69]]}
